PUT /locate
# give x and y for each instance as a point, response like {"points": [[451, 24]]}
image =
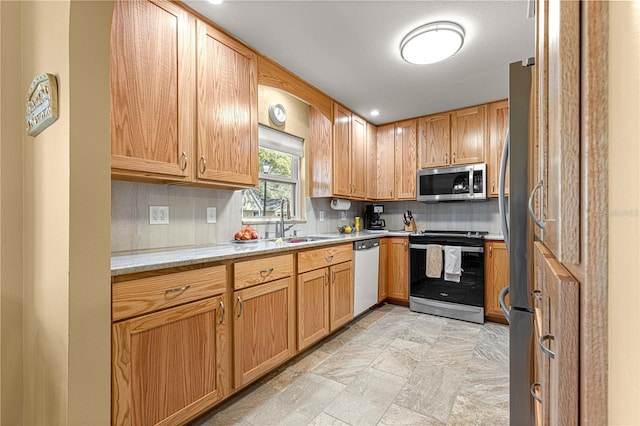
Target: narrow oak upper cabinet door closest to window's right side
{"points": [[341, 151]]}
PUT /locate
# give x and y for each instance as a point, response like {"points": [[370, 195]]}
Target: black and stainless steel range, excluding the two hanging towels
{"points": [[462, 300]]}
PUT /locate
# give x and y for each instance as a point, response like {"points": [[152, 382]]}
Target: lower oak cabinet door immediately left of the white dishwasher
{"points": [[340, 295]]}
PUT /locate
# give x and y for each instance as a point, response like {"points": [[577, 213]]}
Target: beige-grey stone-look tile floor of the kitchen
{"points": [[390, 367]]}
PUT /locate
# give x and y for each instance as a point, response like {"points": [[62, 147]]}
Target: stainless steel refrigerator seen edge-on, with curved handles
{"points": [[515, 226]]}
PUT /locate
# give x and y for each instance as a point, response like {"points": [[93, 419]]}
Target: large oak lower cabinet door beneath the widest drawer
{"points": [[170, 365]]}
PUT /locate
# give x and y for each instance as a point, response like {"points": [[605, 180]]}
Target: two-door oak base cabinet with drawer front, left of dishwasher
{"points": [[325, 292]]}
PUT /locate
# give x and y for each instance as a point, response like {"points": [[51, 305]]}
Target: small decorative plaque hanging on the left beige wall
{"points": [[42, 103]]}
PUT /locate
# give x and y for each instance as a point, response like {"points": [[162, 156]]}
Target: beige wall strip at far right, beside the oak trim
{"points": [[624, 213]]}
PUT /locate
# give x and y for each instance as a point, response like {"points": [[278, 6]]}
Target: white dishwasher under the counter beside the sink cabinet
{"points": [[366, 254]]}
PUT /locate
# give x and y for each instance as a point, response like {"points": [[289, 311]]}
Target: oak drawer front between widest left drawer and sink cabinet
{"points": [[252, 272]]}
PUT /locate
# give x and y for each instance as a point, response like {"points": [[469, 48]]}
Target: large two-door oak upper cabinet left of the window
{"points": [[184, 99]]}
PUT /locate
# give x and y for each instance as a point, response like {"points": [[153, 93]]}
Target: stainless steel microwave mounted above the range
{"points": [[456, 183]]}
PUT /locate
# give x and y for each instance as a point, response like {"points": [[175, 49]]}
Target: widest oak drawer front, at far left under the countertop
{"points": [[144, 295]]}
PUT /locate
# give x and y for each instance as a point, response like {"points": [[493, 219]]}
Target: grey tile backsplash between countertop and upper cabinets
{"points": [[130, 228]]}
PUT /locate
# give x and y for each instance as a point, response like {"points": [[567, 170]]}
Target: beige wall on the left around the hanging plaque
{"points": [[63, 182]]}
